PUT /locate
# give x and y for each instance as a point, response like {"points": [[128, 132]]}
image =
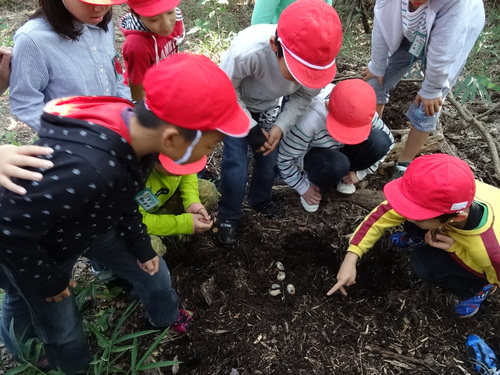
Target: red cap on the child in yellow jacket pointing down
{"points": [[431, 186]]}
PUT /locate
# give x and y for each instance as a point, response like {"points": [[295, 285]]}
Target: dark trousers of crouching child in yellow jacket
{"points": [[438, 267]]}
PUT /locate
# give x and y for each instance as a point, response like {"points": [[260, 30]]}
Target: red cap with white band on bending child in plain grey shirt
{"points": [[310, 34]]}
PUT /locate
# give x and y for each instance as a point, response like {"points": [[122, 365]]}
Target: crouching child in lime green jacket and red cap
{"points": [[177, 207]]}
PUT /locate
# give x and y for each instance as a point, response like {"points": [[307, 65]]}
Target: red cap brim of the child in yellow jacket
{"points": [[403, 206]]}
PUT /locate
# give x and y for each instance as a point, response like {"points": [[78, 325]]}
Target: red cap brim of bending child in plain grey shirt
{"points": [[309, 77]]}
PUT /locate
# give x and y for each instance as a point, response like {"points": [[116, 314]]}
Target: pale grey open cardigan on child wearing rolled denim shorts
{"points": [[452, 29]]}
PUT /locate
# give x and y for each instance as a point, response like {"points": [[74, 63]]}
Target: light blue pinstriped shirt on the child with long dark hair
{"points": [[46, 66]]}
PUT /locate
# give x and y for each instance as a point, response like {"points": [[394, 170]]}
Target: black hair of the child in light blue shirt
{"points": [[62, 21]]}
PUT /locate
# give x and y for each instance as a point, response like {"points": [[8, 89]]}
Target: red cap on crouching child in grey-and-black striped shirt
{"points": [[351, 109]]}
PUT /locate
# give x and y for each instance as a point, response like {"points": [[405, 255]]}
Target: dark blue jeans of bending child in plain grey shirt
{"points": [[234, 172]]}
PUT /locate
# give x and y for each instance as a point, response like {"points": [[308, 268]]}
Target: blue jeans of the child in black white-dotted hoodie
{"points": [[58, 324]]}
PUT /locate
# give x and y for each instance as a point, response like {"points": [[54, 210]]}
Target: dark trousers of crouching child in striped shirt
{"points": [[325, 167]]}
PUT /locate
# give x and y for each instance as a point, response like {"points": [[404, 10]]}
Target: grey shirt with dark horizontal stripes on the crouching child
{"points": [[310, 132]]}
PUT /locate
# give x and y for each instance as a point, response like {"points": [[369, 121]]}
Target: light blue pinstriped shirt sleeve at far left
{"points": [[26, 90]]}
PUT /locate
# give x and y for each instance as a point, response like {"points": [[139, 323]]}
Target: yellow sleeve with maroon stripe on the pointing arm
{"points": [[373, 227]]}
